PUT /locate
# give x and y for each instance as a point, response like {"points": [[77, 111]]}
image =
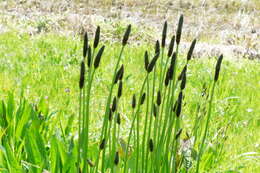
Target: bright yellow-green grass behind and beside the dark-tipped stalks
{"points": [[45, 70]]}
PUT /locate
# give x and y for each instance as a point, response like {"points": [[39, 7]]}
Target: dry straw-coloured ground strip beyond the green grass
{"points": [[227, 27]]}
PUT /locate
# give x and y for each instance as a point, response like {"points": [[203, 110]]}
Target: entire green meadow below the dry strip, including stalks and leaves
{"points": [[212, 122]]}
